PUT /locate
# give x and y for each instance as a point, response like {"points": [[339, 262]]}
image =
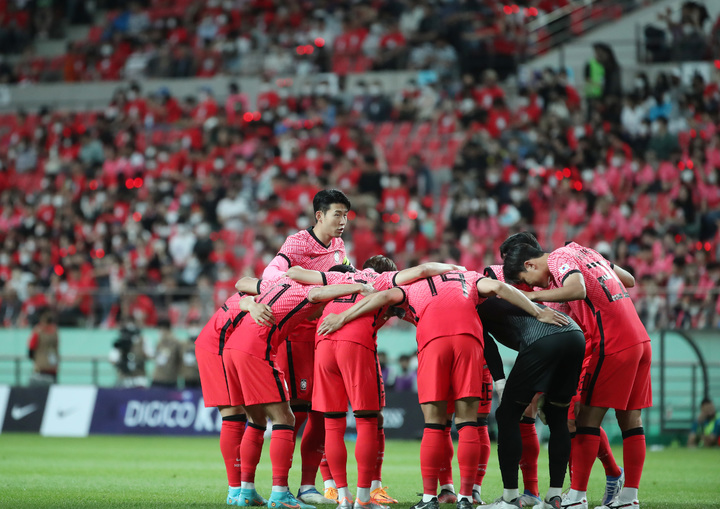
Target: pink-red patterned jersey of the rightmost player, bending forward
{"points": [[607, 316]]}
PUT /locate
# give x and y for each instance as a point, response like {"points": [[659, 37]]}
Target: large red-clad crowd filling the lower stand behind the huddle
{"points": [[153, 207]]}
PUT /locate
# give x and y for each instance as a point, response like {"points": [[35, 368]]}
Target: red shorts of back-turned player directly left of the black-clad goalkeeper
{"points": [[448, 369]]}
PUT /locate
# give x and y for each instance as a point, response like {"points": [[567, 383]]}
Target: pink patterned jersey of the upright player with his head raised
{"points": [[305, 250]]}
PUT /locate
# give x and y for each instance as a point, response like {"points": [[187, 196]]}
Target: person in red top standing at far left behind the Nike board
{"points": [[44, 350]]}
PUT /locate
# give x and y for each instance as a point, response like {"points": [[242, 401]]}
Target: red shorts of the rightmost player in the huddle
{"points": [[620, 380]]}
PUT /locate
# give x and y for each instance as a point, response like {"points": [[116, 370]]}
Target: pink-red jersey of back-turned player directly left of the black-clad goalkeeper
{"points": [[445, 306]]}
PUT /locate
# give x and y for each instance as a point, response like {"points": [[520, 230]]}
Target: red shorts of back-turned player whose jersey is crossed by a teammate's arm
{"points": [[346, 371]]}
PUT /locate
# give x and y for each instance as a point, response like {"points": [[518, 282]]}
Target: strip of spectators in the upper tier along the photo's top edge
{"points": [[203, 38]]}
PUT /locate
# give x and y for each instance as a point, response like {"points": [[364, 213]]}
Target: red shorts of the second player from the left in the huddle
{"points": [[252, 380]]}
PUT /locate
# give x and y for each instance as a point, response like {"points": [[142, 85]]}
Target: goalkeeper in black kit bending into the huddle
{"points": [[549, 361]]}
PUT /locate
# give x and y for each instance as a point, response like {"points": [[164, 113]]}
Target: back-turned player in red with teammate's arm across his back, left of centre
{"points": [[346, 368]]}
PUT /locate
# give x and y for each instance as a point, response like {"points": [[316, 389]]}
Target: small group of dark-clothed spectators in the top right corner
{"points": [[688, 35]]}
